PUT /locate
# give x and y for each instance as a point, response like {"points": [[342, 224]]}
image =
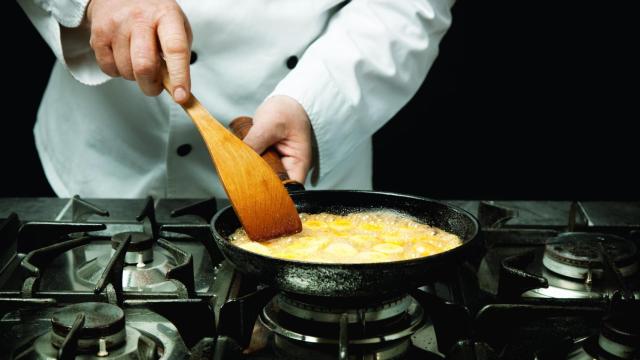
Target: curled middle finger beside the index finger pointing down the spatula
{"points": [[145, 59]]}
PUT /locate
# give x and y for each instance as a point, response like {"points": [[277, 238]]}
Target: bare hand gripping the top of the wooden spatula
{"points": [[125, 35]]}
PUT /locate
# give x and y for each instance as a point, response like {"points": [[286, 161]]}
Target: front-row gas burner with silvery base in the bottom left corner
{"points": [[95, 331]]}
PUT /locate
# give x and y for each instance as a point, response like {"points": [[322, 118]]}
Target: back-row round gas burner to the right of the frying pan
{"points": [[579, 255]]}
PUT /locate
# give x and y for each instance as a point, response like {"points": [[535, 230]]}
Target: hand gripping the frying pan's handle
{"points": [[282, 122]]}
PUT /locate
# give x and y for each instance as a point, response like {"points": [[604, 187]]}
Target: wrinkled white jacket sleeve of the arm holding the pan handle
{"points": [[368, 63]]}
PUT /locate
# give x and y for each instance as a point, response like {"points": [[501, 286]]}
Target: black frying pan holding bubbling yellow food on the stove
{"points": [[329, 280]]}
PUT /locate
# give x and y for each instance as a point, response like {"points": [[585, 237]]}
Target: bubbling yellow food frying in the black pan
{"points": [[364, 237]]}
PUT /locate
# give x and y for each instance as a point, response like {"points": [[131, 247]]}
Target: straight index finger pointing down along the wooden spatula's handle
{"points": [[176, 50]]}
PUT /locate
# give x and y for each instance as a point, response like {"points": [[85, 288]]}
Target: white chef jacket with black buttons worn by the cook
{"points": [[359, 63]]}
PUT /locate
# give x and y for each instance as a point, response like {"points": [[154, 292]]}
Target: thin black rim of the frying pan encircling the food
{"points": [[346, 266]]}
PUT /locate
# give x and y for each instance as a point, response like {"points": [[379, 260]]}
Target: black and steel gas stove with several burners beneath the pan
{"points": [[143, 279]]}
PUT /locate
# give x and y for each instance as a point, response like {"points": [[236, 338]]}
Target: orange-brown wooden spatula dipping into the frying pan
{"points": [[257, 195]]}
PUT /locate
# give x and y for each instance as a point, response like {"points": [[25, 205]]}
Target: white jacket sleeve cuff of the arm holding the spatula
{"points": [[59, 23]]}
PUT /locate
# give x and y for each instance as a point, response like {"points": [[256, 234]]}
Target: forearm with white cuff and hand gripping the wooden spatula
{"points": [[98, 39]]}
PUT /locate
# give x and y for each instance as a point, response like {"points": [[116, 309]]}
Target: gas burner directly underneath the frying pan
{"points": [[381, 330]]}
